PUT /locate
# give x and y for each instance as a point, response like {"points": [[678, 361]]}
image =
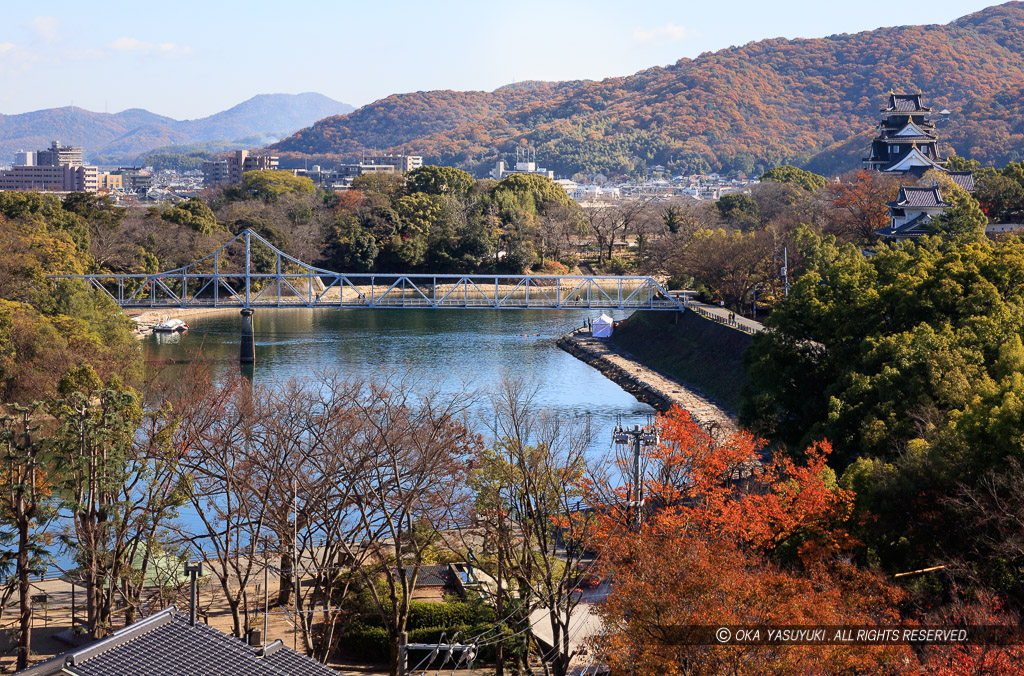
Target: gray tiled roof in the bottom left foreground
{"points": [[166, 645]]}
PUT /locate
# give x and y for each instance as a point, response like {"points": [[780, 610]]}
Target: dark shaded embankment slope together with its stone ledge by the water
{"points": [[668, 359]]}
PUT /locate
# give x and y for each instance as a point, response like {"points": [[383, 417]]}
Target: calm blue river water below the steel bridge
{"points": [[450, 348]]}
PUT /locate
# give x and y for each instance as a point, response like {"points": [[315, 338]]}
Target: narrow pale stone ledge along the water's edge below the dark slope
{"points": [[649, 386]]}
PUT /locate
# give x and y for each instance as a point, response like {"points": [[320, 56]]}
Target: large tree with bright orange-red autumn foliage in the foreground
{"points": [[733, 539]]}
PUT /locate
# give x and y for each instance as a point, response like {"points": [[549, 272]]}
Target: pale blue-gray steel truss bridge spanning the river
{"points": [[270, 278]]}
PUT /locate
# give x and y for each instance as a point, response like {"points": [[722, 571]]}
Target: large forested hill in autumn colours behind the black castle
{"points": [[745, 109]]}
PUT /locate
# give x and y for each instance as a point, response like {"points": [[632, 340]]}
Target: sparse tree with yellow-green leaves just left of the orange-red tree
{"points": [[529, 492]]}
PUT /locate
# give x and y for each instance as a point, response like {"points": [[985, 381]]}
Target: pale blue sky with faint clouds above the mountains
{"points": [[188, 60]]}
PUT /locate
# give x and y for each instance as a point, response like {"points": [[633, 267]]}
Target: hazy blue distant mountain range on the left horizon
{"points": [[123, 137]]}
